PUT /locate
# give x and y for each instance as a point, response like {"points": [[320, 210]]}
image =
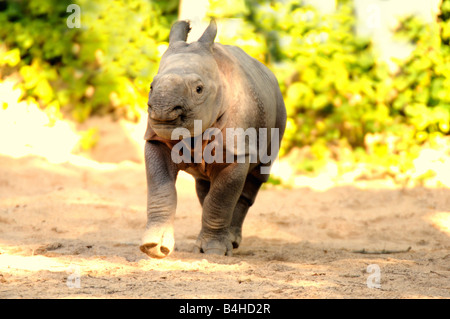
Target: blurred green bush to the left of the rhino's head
{"points": [[103, 67]]}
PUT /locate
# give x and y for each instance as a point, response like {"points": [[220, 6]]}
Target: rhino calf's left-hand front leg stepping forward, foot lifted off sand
{"points": [[158, 239]]}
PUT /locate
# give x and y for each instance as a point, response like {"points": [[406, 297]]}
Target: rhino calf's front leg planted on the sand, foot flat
{"points": [[218, 207]]}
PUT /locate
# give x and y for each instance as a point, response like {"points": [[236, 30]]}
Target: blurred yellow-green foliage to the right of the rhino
{"points": [[337, 94]]}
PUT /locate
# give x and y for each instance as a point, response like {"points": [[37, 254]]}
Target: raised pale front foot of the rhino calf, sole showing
{"points": [[158, 242]]}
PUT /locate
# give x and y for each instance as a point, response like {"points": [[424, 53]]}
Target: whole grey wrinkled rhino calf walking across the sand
{"points": [[225, 88]]}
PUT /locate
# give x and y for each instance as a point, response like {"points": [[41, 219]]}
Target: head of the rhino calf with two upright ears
{"points": [[187, 86]]}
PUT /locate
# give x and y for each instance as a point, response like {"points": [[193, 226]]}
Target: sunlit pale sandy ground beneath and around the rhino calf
{"points": [[71, 228]]}
